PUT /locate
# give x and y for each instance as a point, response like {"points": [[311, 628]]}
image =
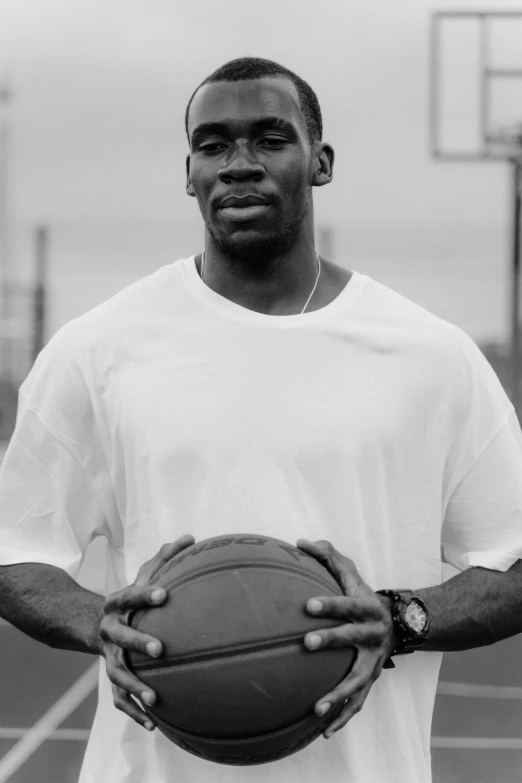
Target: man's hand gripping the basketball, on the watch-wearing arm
{"points": [[368, 627]]}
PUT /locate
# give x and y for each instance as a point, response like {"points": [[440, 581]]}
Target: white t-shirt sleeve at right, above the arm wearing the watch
{"points": [[482, 523]]}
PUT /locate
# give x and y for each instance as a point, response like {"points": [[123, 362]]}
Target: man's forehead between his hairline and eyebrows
{"points": [[246, 100]]}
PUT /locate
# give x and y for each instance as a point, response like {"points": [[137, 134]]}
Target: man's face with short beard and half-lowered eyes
{"points": [[237, 150]]}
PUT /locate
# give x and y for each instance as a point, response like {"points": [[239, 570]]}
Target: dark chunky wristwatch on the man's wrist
{"points": [[411, 622]]}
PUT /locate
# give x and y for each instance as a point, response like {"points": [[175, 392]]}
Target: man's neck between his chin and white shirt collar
{"points": [[279, 288]]}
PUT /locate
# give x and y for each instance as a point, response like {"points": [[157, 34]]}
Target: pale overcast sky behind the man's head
{"points": [[102, 85]]}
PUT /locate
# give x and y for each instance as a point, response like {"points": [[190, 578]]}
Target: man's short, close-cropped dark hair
{"points": [[257, 68]]}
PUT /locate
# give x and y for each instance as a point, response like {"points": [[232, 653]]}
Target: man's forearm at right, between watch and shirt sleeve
{"points": [[474, 608]]}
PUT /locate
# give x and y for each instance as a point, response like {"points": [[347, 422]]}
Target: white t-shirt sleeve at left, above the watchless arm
{"points": [[55, 489]]}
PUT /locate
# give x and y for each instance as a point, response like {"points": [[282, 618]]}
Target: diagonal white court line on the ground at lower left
{"points": [[46, 725]]}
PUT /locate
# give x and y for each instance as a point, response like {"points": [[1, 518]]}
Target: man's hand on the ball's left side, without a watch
{"points": [[117, 635]]}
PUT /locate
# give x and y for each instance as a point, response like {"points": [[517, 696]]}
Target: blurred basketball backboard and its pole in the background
{"points": [[497, 135]]}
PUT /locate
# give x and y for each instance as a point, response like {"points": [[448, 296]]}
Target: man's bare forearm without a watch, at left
{"points": [[47, 604]]}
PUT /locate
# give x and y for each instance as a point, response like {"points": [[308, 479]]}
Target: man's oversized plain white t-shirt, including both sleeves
{"points": [[370, 422]]}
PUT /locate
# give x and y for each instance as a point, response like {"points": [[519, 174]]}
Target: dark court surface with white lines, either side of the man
{"points": [[49, 701]]}
